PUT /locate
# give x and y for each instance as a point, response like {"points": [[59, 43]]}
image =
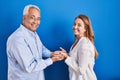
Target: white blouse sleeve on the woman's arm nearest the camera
{"points": [[83, 55]]}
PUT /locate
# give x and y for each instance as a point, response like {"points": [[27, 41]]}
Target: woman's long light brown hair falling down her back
{"points": [[89, 32]]}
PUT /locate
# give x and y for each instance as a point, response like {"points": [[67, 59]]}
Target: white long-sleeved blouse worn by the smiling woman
{"points": [[81, 61]]}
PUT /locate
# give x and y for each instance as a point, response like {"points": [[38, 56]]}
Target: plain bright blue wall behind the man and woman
{"points": [[55, 30]]}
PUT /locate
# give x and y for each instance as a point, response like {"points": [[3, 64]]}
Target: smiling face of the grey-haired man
{"points": [[32, 19]]}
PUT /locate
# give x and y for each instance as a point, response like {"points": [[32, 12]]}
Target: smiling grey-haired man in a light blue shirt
{"points": [[25, 49]]}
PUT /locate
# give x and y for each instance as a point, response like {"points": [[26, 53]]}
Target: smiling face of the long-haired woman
{"points": [[79, 28]]}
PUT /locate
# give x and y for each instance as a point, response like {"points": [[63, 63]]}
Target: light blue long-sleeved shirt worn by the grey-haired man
{"points": [[25, 51]]}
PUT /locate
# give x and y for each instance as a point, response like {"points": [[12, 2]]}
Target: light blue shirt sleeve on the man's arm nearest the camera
{"points": [[26, 59]]}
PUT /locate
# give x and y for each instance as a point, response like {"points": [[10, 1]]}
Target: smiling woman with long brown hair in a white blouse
{"points": [[82, 54]]}
